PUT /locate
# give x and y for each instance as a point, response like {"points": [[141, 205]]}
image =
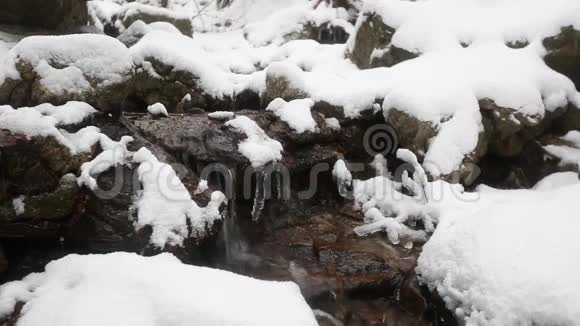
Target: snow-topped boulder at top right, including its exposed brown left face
{"points": [[392, 31]]}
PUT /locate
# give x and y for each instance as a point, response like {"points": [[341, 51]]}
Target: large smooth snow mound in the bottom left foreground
{"points": [[121, 289]]}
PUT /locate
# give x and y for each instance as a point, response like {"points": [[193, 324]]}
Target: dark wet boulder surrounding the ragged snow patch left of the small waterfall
{"points": [[107, 221]]}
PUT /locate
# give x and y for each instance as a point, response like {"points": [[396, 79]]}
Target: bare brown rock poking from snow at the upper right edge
{"points": [[563, 53]]}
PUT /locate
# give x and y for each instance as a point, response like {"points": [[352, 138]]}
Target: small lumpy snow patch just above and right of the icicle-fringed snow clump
{"points": [[295, 113]]}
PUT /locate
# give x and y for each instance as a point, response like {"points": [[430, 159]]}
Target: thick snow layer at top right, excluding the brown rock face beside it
{"points": [[425, 26]]}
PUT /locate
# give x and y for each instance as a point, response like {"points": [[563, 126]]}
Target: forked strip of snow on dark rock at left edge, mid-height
{"points": [[43, 120]]}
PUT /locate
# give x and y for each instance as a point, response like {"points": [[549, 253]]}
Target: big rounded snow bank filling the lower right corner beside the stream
{"points": [[509, 258]]}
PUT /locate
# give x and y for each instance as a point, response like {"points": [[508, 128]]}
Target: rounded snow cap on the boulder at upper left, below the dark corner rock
{"points": [[71, 64]]}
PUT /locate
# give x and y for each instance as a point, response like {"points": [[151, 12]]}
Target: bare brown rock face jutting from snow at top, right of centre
{"points": [[370, 46]]}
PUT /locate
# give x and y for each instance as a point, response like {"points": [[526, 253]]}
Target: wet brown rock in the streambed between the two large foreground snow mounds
{"points": [[357, 281]]}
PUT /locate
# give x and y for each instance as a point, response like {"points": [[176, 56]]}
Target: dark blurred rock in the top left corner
{"points": [[60, 15]]}
